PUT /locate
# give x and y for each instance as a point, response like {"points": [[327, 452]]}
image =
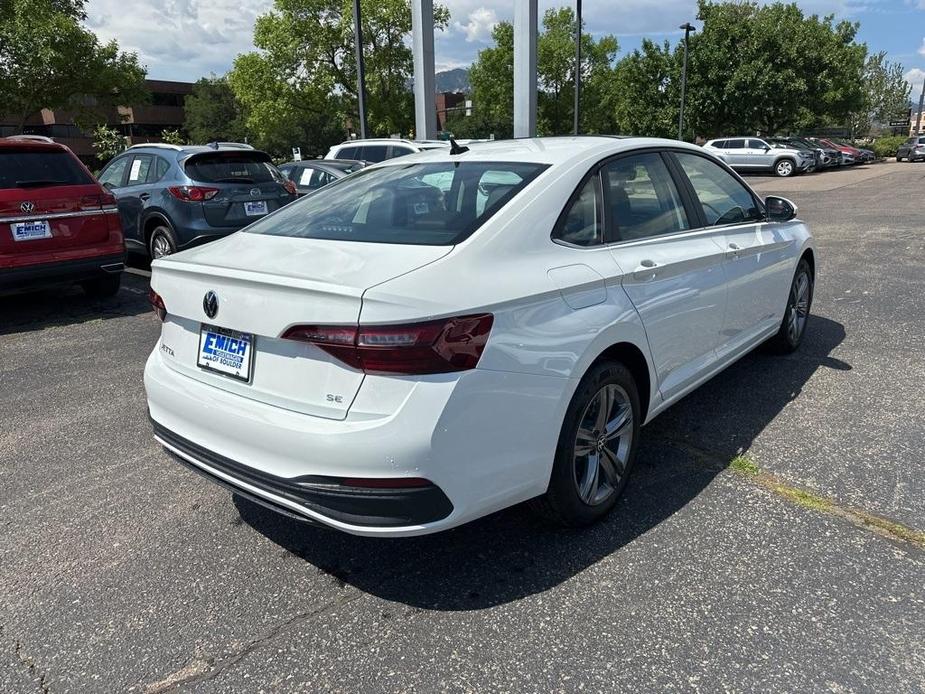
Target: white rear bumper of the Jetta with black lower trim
{"points": [[481, 439]]}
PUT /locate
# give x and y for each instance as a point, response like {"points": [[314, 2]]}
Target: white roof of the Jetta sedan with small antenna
{"points": [[556, 150]]}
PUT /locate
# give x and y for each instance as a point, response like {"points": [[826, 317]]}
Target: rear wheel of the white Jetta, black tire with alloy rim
{"points": [[596, 448]]}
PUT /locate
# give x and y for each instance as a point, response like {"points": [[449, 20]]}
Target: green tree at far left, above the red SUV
{"points": [[48, 60]]}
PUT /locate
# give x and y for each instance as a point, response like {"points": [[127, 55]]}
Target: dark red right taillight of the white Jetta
{"points": [[441, 346]]}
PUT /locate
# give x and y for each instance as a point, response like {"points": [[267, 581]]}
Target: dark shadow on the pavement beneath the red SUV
{"points": [[25, 312]]}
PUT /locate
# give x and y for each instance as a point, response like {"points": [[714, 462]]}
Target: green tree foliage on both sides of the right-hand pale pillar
{"points": [[492, 79]]}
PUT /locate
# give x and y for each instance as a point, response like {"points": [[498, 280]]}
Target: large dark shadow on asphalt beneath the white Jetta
{"points": [[512, 554]]}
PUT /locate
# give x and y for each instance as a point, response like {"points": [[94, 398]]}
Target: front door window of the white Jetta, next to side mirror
{"points": [[723, 198]]}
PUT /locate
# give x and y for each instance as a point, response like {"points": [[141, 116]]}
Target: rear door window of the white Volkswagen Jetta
{"points": [[642, 197]]}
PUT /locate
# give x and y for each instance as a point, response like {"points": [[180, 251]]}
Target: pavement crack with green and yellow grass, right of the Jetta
{"points": [[745, 468]]}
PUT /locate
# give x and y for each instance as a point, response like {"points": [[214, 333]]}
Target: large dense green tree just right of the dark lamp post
{"points": [[769, 68]]}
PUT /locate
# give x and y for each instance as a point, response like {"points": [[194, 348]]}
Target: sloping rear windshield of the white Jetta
{"points": [[429, 204]]}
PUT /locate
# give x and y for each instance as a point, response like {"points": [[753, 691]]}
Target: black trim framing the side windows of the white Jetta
{"points": [[682, 183]]}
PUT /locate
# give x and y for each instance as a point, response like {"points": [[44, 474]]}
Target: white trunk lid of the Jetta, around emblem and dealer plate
{"points": [[265, 285]]}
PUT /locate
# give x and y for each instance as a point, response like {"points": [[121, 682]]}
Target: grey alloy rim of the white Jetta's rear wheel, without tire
{"points": [[603, 444]]}
